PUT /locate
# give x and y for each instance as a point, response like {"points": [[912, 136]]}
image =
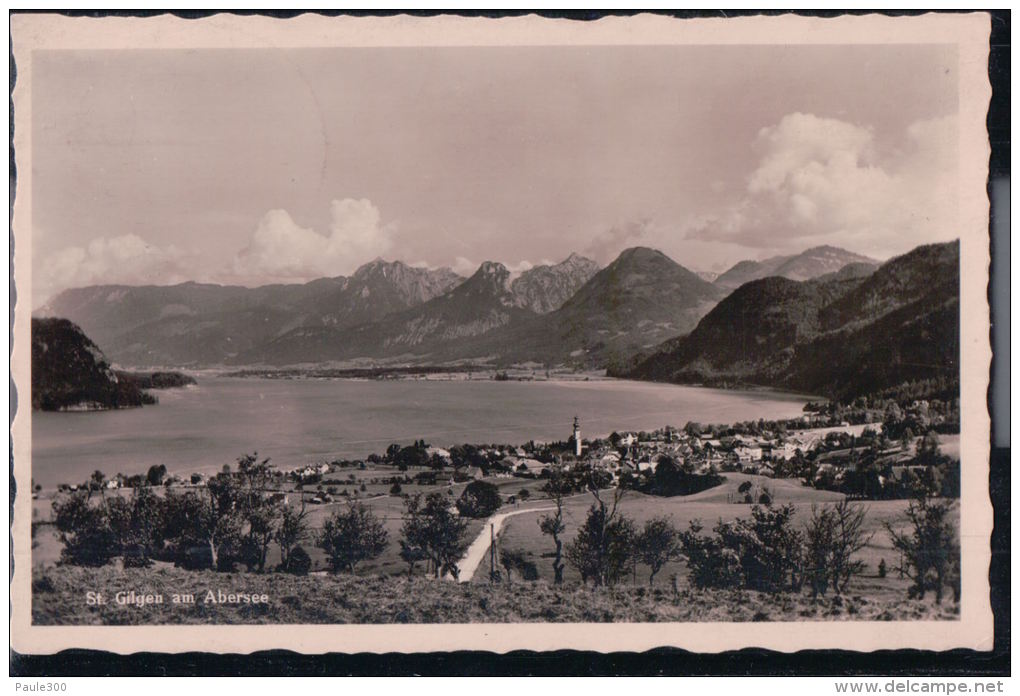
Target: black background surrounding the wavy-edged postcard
{"points": [[665, 661]]}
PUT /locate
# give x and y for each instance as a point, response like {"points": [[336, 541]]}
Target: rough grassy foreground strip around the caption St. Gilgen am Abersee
{"points": [[60, 598]]}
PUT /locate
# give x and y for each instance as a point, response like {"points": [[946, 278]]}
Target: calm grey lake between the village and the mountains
{"points": [[299, 422]]}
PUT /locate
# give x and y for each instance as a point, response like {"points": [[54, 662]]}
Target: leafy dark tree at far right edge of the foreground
{"points": [[929, 549]]}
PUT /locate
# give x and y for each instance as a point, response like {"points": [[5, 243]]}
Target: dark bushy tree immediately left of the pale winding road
{"points": [[433, 533]]}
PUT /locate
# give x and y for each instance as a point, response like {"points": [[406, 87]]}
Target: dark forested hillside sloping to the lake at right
{"points": [[840, 335]]}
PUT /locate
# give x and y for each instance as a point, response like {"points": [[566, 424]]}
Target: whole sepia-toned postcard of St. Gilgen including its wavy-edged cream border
{"points": [[544, 329]]}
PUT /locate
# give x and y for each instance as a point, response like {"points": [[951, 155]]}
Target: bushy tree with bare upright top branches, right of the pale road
{"points": [[604, 544]]}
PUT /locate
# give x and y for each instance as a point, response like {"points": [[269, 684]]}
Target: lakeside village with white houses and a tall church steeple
{"points": [[822, 449]]}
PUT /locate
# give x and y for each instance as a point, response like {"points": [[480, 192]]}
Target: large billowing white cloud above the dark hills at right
{"points": [[823, 181]]}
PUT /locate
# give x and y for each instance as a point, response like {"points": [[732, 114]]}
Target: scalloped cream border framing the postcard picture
{"points": [[968, 32]]}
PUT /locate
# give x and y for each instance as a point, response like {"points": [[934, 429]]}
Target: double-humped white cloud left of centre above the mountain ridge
{"points": [[281, 250]]}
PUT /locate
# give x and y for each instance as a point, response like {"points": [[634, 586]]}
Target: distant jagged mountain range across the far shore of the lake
{"points": [[571, 314]]}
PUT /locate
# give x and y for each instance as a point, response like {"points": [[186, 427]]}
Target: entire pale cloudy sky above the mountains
{"points": [[256, 167]]}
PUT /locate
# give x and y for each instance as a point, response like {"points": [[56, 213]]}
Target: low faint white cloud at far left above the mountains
{"points": [[126, 260]]}
